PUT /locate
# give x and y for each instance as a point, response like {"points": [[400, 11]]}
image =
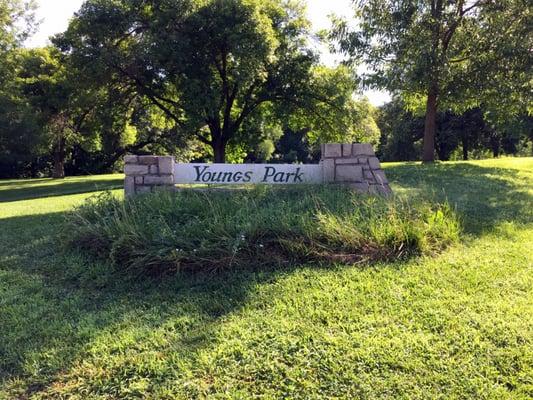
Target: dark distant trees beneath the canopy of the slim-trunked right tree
{"points": [[473, 134]]}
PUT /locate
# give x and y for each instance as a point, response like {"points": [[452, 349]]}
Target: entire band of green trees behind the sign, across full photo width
{"points": [[241, 81]]}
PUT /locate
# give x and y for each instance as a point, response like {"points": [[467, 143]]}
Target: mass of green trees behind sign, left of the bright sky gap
{"points": [[220, 80]]}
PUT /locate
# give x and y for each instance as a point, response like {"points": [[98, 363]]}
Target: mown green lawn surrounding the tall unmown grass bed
{"points": [[459, 325]]}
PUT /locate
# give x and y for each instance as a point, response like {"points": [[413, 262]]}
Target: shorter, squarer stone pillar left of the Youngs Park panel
{"points": [[148, 173]]}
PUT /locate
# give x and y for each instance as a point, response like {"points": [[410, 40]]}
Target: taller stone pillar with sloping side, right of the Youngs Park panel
{"points": [[354, 165]]}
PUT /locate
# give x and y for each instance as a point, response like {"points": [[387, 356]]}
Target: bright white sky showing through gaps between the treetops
{"points": [[55, 15]]}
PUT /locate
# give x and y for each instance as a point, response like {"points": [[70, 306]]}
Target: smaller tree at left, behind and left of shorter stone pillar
{"points": [[66, 116]]}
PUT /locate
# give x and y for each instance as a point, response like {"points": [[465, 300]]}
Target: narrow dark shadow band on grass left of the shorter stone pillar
{"points": [[16, 191]]}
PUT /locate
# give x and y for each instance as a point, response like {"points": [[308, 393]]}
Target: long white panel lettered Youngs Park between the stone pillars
{"points": [[235, 174]]}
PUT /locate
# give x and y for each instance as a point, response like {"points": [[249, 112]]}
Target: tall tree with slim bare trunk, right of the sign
{"points": [[455, 54]]}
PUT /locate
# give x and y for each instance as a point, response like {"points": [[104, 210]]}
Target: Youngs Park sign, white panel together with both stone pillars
{"points": [[354, 165]]}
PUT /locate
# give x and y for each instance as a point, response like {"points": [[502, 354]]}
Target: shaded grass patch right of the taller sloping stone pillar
{"points": [[484, 197]]}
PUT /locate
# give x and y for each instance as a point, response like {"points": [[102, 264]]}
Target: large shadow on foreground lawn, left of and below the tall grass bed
{"points": [[55, 306]]}
